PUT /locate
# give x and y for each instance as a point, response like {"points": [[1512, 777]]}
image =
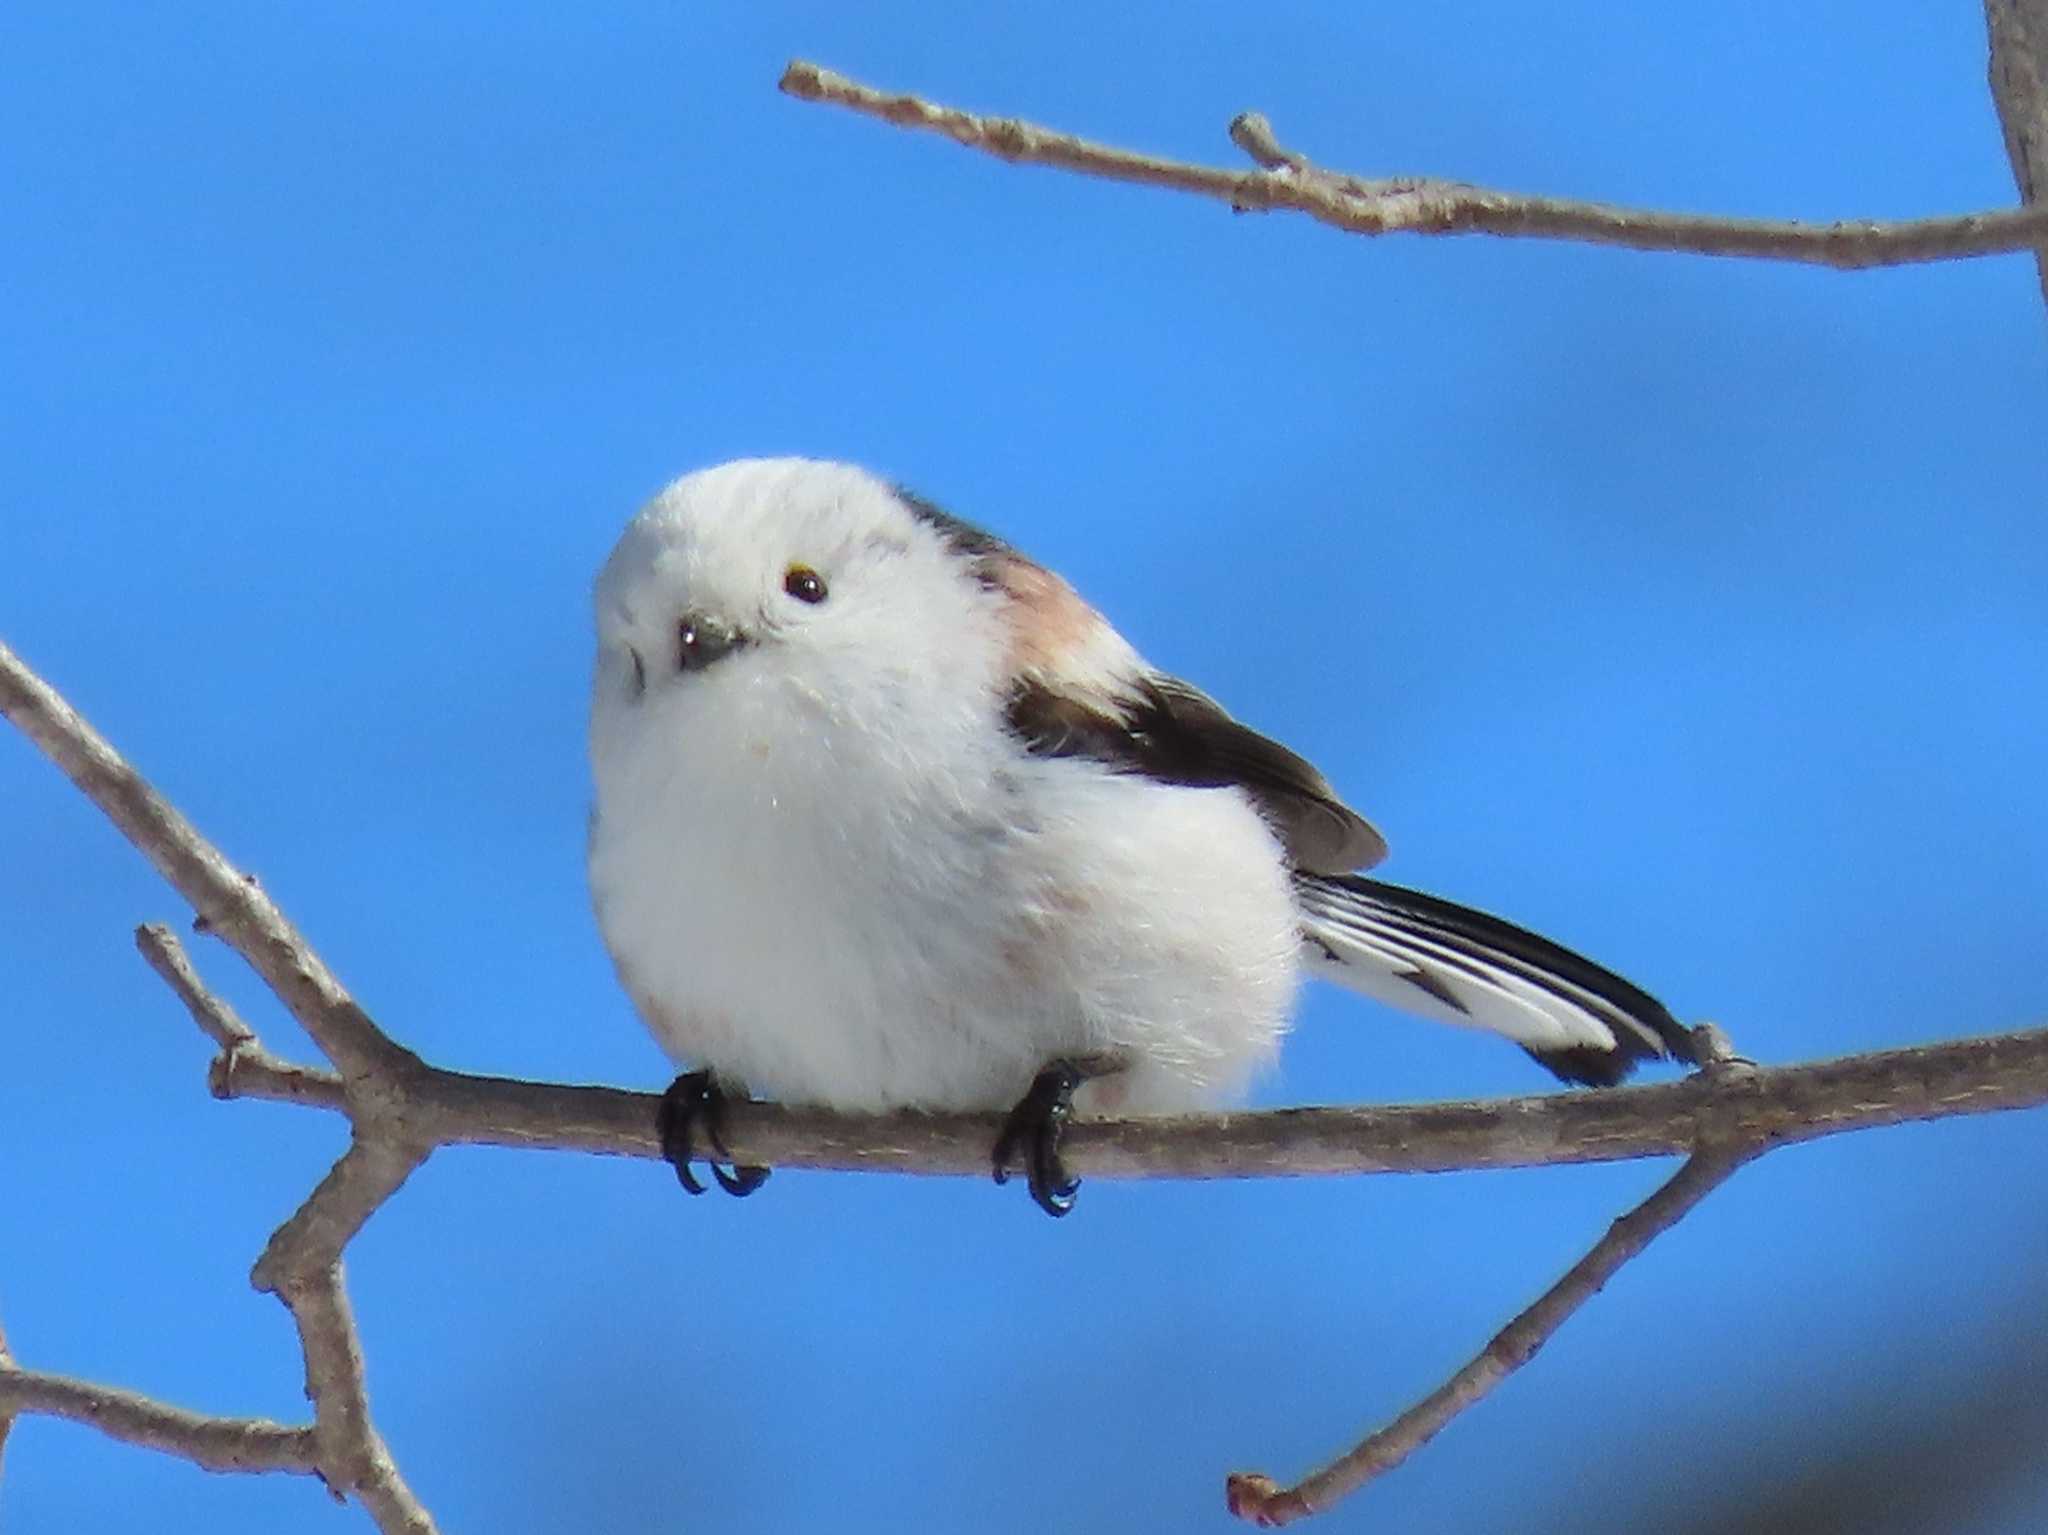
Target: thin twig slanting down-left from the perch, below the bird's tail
{"points": [[1263, 1501]]}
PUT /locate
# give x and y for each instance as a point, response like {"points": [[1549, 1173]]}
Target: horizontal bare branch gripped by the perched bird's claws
{"points": [[1785, 1104]]}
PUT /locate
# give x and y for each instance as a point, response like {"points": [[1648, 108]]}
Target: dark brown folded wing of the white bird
{"points": [[1181, 736]]}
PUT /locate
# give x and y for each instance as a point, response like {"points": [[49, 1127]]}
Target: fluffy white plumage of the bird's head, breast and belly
{"points": [[826, 871]]}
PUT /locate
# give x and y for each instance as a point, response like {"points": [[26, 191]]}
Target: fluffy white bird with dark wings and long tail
{"points": [[890, 818]]}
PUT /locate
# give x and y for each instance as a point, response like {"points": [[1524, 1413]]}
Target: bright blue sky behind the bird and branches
{"points": [[1687, 611]]}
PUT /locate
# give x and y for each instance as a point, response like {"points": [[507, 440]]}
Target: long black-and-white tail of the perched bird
{"points": [[1455, 965]]}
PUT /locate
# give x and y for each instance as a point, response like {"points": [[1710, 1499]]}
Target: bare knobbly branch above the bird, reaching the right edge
{"points": [[1428, 206]]}
